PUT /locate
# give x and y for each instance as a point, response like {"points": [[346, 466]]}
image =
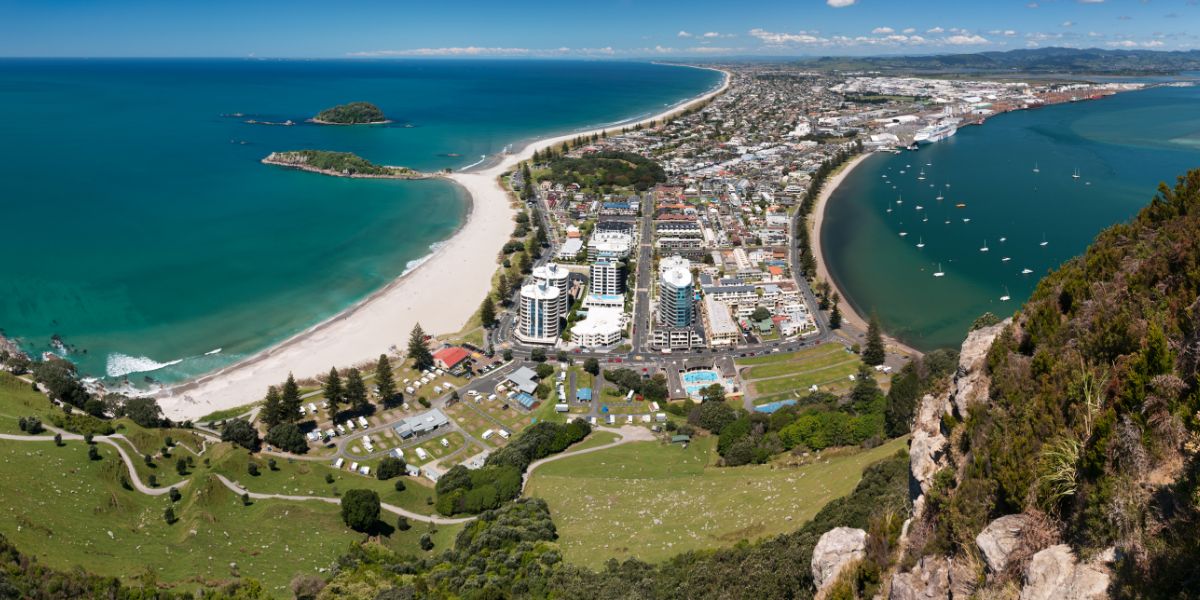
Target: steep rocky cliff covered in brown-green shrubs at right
{"points": [[1063, 461]]}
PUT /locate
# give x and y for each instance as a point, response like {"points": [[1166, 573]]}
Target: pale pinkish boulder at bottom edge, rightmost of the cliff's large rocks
{"points": [[1057, 574]]}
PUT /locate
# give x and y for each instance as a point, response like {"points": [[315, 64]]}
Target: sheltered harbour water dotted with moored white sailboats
{"points": [[1123, 146]]}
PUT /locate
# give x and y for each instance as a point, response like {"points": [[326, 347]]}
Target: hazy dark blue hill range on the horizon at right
{"points": [[1039, 61]]}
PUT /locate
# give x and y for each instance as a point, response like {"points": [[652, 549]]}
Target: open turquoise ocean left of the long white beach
{"points": [[141, 227]]}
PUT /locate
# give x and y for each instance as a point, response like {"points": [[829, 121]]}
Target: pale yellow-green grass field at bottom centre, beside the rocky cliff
{"points": [[653, 501]]}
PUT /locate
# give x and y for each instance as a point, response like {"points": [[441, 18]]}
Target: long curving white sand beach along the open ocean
{"points": [[441, 295]]}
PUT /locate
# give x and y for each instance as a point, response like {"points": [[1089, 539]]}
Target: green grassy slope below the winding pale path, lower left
{"points": [[68, 512]]}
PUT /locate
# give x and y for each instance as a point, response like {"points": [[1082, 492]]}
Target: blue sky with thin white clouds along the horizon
{"points": [[584, 28]]}
